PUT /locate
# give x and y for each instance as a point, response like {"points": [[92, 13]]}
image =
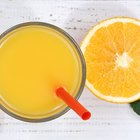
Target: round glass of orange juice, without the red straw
{"points": [[35, 59]]}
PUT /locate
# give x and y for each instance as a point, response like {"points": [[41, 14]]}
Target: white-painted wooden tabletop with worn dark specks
{"points": [[109, 121]]}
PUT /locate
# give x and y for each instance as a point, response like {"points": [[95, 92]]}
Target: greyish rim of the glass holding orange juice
{"points": [[83, 73]]}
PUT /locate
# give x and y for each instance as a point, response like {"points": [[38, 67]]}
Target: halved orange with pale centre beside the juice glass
{"points": [[112, 54]]}
